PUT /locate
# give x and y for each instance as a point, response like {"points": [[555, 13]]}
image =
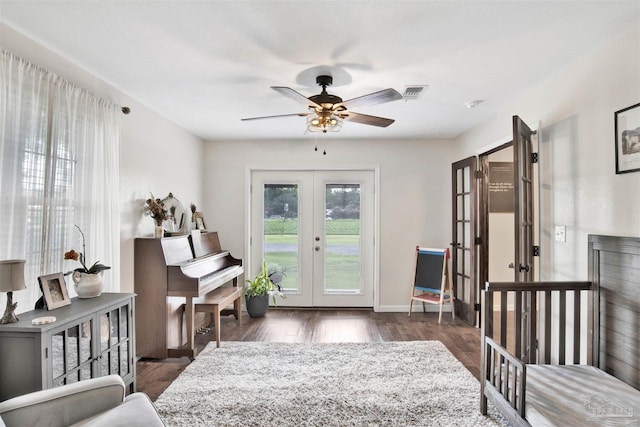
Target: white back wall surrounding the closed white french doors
{"points": [[415, 186]]}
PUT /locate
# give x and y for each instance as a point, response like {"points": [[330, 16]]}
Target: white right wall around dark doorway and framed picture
{"points": [[579, 186]]}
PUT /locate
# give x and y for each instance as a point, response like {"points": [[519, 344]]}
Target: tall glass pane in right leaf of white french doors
{"points": [[342, 238]]}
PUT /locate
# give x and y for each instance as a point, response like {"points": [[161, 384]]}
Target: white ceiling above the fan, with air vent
{"points": [[207, 64]]}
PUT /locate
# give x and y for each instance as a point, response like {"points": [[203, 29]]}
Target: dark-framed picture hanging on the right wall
{"points": [[627, 122]]}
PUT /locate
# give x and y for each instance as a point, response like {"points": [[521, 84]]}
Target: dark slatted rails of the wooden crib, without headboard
{"points": [[520, 321]]}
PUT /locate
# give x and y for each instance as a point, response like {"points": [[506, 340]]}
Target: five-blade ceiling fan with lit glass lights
{"points": [[327, 112]]}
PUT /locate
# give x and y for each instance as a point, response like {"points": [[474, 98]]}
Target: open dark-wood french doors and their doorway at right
{"points": [[512, 230]]}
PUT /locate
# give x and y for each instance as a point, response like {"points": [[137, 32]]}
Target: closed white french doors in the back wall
{"points": [[317, 228]]}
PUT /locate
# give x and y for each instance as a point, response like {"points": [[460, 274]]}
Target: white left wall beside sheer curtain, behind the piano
{"points": [[156, 155]]}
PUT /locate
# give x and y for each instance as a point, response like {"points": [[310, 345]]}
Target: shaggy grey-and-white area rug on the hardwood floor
{"points": [[415, 383]]}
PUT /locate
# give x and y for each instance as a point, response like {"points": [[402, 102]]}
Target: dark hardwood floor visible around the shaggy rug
{"points": [[297, 325]]}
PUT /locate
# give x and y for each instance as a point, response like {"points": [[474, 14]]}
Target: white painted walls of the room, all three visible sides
{"points": [[580, 188]]}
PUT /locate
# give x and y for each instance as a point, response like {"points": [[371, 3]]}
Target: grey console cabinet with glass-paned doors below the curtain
{"points": [[90, 338]]}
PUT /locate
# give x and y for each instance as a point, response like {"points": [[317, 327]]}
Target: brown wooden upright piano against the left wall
{"points": [[171, 275]]}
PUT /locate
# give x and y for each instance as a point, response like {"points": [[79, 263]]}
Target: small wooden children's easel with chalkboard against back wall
{"points": [[432, 281]]}
